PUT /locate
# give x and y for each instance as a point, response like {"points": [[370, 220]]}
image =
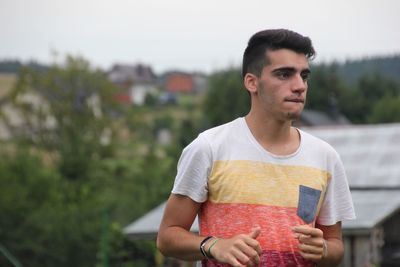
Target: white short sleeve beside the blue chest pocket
{"points": [[338, 204]]}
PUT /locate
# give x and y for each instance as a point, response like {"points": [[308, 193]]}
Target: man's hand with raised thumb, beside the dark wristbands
{"points": [[241, 250]]}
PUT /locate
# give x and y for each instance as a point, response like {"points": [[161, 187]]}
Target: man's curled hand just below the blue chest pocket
{"points": [[311, 243]]}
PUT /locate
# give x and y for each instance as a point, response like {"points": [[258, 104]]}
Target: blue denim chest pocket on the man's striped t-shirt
{"points": [[308, 203]]}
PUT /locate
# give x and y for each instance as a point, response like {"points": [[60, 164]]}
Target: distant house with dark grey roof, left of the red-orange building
{"points": [[134, 81]]}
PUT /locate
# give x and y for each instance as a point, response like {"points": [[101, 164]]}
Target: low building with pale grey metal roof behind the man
{"points": [[371, 156]]}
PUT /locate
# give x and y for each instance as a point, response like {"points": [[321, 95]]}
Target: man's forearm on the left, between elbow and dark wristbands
{"points": [[179, 243]]}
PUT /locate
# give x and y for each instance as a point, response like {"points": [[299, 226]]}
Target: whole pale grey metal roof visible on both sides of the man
{"points": [[370, 154]]}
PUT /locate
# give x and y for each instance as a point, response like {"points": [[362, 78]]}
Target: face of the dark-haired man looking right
{"points": [[282, 86]]}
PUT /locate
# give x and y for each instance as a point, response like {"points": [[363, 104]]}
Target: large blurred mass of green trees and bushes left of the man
{"points": [[59, 178]]}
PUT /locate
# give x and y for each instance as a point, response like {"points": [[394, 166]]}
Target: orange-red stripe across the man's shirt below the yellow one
{"points": [[228, 220]]}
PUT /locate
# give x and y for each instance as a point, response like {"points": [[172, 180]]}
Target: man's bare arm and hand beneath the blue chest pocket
{"points": [[322, 244]]}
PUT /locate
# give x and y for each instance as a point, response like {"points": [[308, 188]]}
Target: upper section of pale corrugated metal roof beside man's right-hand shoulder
{"points": [[370, 153]]}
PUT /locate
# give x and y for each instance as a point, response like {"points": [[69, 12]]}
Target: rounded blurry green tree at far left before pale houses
{"points": [[66, 110]]}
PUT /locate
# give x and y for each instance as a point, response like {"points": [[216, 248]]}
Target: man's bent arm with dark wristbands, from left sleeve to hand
{"points": [[175, 239]]}
